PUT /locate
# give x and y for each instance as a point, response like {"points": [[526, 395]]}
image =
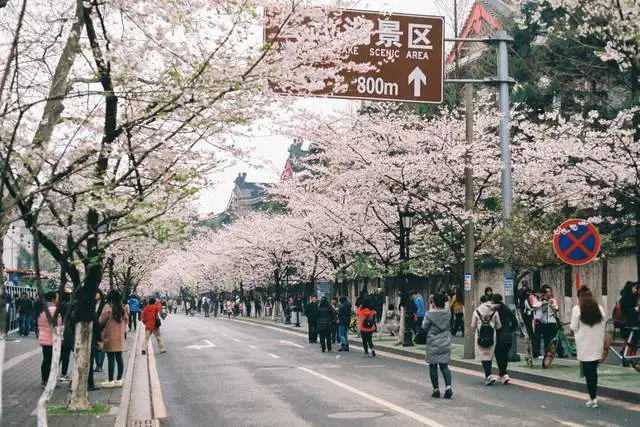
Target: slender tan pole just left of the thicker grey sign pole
{"points": [[469, 303]]}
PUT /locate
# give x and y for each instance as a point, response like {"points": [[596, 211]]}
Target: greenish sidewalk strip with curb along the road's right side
{"points": [[615, 382]]}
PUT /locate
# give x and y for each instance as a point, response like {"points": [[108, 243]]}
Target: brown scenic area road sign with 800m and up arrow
{"points": [[407, 50]]}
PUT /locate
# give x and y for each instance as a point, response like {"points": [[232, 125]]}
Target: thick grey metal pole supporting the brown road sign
{"points": [[505, 148]]}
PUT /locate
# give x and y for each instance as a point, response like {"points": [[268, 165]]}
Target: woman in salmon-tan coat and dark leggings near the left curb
{"points": [[113, 322]]}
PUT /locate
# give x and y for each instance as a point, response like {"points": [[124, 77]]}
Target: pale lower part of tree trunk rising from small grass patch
{"points": [[78, 396]]}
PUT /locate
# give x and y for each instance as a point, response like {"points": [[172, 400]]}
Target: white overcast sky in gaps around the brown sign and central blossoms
{"points": [[270, 151]]}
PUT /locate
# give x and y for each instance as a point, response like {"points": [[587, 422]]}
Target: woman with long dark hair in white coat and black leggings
{"points": [[588, 324]]}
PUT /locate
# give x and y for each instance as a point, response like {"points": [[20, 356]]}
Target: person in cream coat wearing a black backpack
{"points": [[486, 322]]}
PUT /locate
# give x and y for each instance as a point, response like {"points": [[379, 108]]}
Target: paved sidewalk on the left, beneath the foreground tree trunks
{"points": [[22, 390]]}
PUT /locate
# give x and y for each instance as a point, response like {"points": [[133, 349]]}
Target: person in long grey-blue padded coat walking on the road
{"points": [[438, 345]]}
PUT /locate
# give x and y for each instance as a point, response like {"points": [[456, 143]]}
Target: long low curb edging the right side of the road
{"points": [[612, 393]]}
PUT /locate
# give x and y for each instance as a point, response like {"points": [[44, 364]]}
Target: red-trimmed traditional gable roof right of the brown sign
{"points": [[485, 18]]}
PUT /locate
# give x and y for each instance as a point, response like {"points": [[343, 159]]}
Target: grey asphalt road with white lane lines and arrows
{"points": [[262, 376]]}
